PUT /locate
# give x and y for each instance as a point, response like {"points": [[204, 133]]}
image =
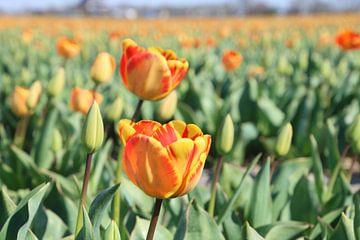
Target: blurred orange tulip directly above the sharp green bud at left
{"points": [[82, 99]]}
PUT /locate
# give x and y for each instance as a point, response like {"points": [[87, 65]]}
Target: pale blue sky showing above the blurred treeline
{"points": [[21, 5]]}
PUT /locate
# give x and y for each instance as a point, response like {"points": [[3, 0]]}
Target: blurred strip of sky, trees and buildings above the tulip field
{"points": [[163, 8]]}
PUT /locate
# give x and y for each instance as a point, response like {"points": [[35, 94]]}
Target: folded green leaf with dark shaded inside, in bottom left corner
{"points": [[18, 224]]}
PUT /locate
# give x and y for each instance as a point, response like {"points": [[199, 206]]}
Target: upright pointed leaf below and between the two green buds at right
{"points": [[259, 211]]}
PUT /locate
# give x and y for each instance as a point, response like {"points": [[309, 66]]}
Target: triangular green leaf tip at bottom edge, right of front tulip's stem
{"points": [[197, 224]]}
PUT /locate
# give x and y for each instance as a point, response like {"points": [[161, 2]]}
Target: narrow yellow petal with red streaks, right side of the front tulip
{"points": [[195, 165]]}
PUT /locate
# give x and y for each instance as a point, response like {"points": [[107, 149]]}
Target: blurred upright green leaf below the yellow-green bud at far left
{"points": [[43, 148]]}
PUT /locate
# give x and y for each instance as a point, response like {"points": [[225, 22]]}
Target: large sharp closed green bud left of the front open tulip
{"points": [[93, 129]]}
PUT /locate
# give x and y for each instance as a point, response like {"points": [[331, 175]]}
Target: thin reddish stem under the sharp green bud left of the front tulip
{"points": [[83, 193]]}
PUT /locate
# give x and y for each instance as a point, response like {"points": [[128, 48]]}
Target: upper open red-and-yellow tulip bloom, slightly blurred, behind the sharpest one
{"points": [[151, 73]]}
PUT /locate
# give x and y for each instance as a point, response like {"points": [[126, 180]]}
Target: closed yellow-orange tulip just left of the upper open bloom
{"points": [[103, 68]]}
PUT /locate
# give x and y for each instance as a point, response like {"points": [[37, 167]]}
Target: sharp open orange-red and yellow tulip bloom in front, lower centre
{"points": [[165, 161]]}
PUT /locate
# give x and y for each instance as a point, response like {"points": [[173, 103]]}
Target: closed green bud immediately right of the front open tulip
{"points": [[225, 136]]}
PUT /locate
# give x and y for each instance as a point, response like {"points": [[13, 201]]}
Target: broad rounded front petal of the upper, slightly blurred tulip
{"points": [[148, 75]]}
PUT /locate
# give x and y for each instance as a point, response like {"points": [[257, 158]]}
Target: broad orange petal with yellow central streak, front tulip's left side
{"points": [[147, 165]]}
